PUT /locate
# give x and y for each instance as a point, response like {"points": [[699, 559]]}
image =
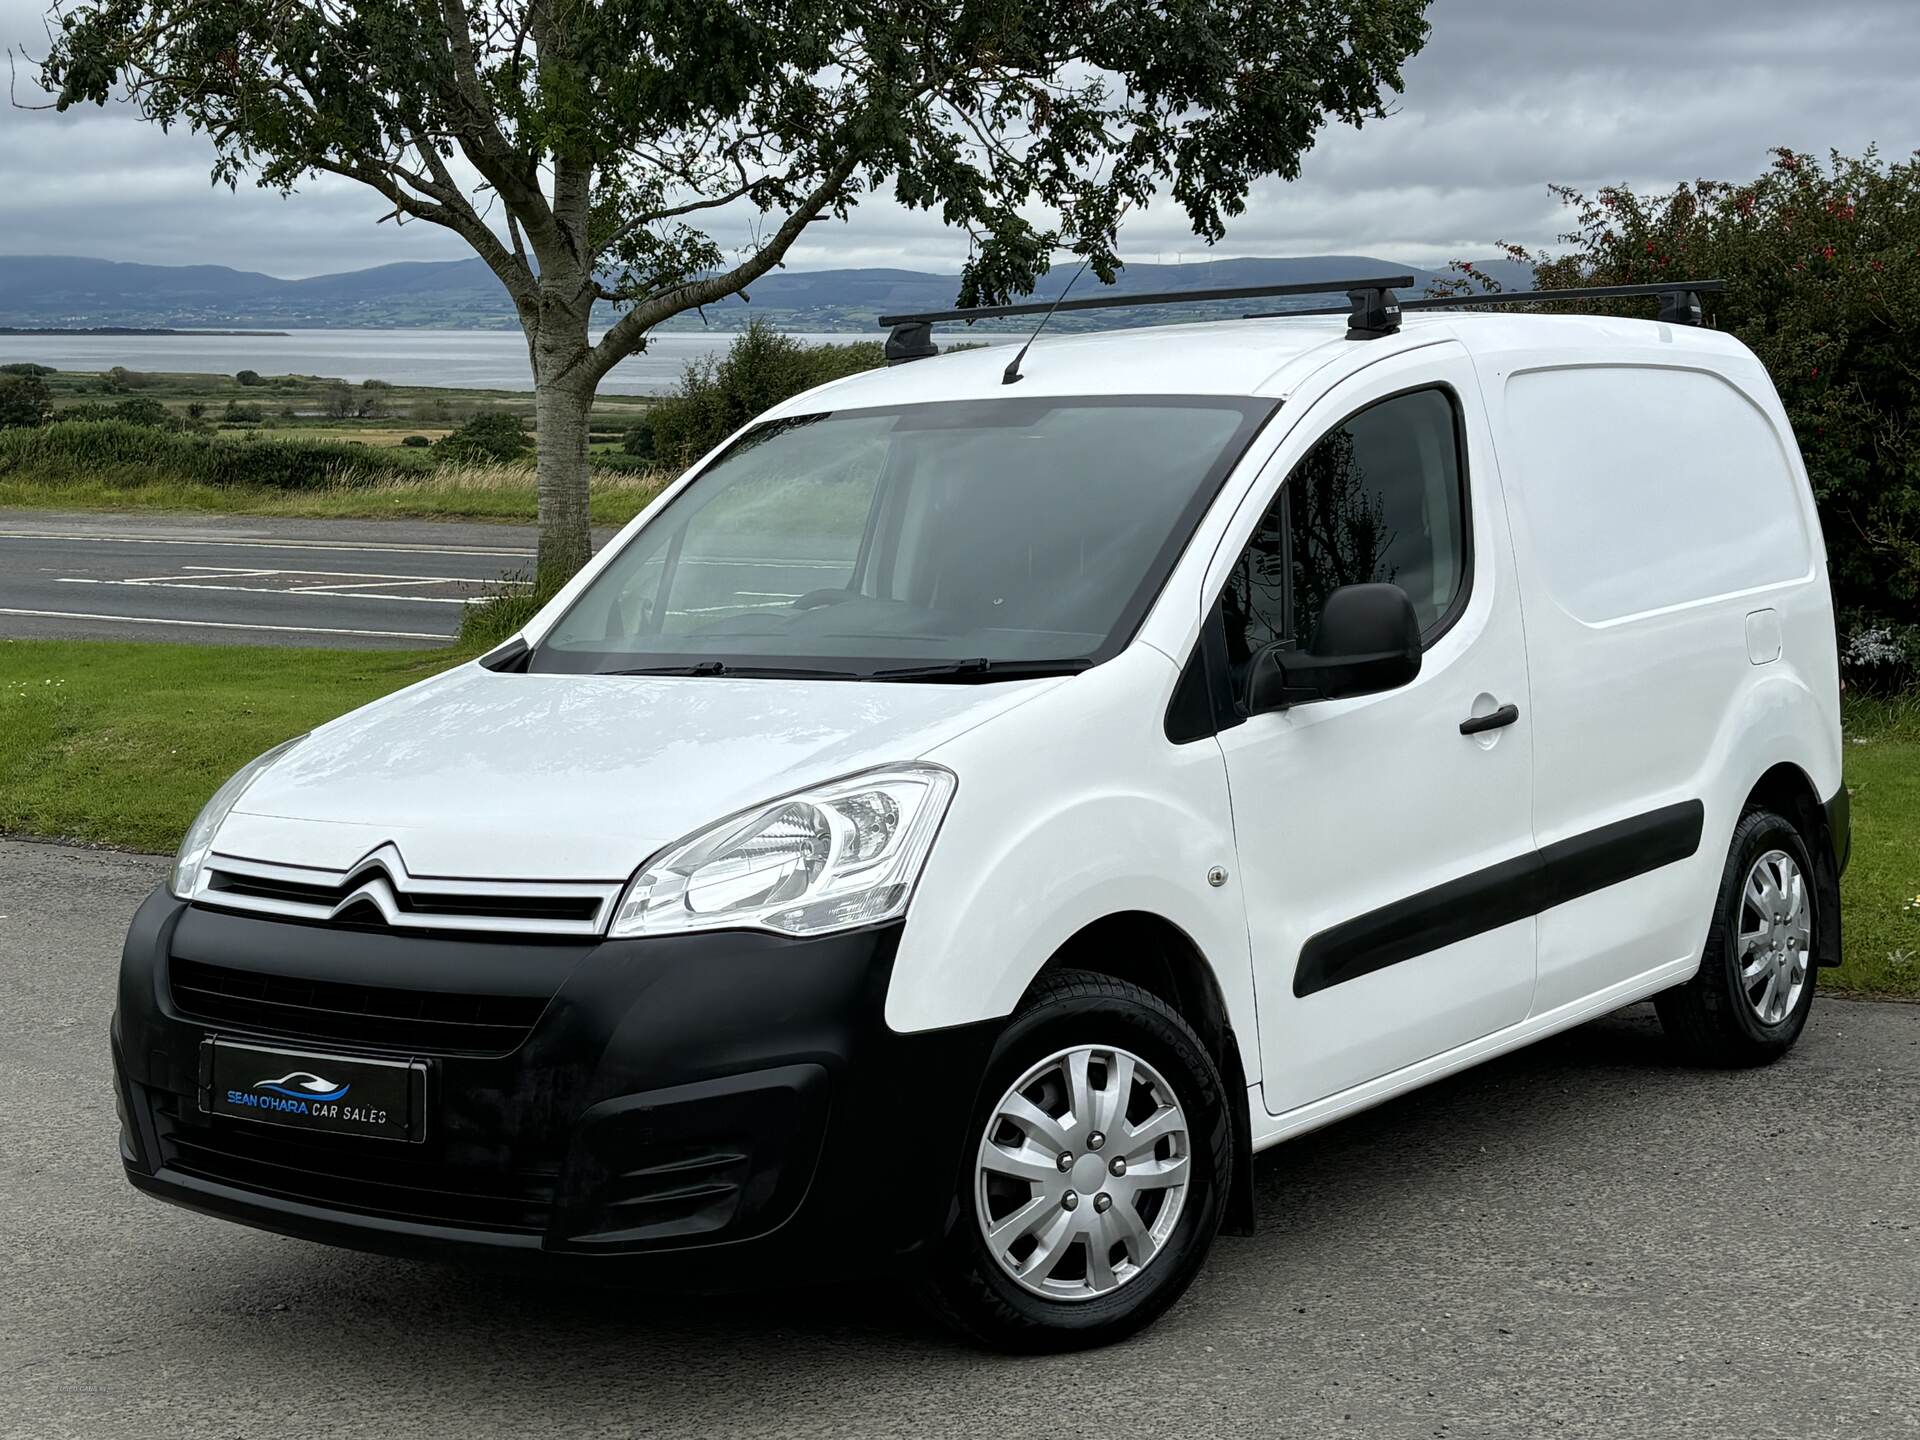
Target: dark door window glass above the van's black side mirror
{"points": [[1378, 498]]}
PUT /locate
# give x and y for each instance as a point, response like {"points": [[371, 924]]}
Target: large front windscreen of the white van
{"points": [[965, 539]]}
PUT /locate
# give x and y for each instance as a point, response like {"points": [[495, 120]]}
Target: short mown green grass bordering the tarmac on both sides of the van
{"points": [[120, 744]]}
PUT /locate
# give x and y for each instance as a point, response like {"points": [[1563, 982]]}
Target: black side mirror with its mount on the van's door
{"points": [[1368, 640]]}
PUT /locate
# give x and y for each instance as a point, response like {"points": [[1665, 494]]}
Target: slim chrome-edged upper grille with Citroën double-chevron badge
{"points": [[381, 892]]}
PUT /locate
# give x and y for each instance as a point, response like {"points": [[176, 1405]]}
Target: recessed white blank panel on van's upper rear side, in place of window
{"points": [[1648, 489]]}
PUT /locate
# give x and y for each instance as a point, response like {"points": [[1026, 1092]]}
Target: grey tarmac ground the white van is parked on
{"points": [[1573, 1241]]}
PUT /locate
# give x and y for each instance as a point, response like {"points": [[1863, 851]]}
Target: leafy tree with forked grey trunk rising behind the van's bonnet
{"points": [[583, 147]]}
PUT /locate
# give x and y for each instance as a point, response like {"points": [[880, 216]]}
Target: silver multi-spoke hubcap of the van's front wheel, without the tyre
{"points": [[1082, 1172]]}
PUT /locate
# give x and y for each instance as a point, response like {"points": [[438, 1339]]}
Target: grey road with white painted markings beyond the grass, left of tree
{"points": [[249, 579]]}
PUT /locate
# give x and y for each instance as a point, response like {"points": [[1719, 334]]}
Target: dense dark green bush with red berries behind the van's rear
{"points": [[1823, 268]]}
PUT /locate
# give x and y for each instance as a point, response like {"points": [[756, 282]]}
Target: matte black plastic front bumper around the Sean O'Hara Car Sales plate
{"points": [[700, 1111]]}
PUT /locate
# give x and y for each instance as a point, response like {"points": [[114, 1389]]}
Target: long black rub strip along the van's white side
{"points": [[1499, 896]]}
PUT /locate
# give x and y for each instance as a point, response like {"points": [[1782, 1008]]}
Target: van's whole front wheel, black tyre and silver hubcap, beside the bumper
{"points": [[1095, 1172]]}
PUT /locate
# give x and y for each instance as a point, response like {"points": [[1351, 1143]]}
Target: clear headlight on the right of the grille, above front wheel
{"points": [[825, 859]]}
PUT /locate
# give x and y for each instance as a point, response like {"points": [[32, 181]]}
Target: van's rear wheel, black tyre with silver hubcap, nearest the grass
{"points": [[1756, 982]]}
